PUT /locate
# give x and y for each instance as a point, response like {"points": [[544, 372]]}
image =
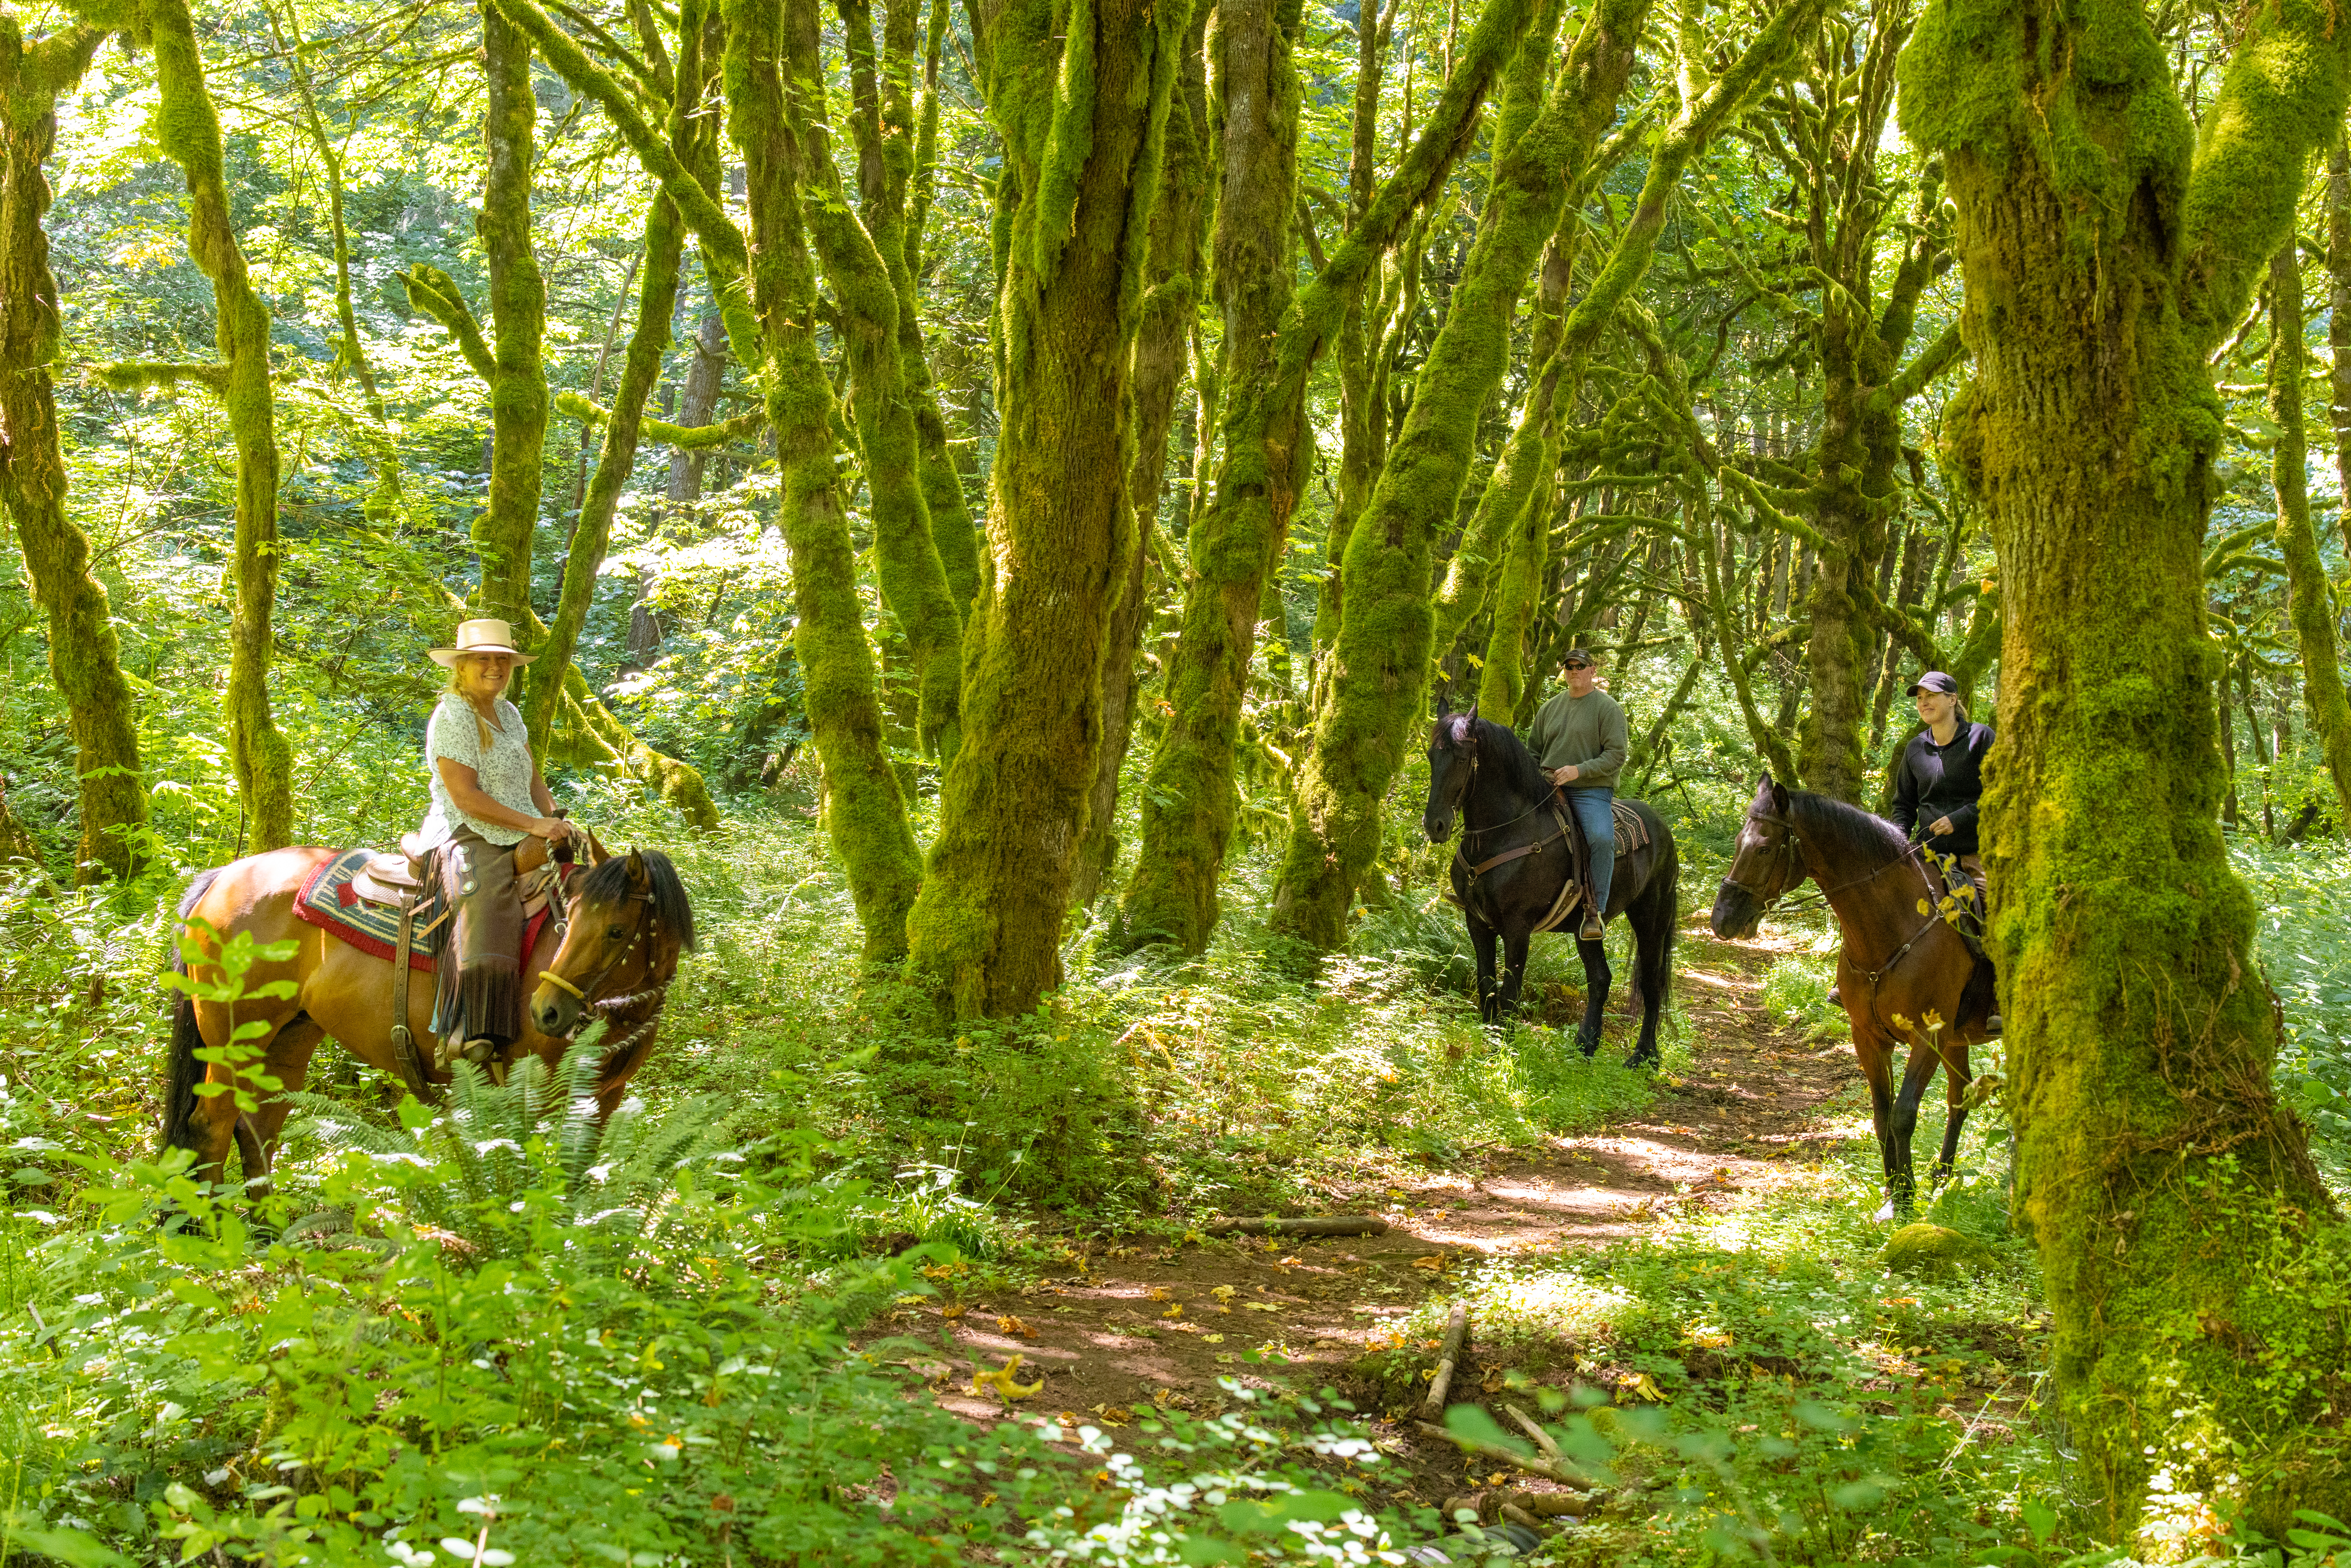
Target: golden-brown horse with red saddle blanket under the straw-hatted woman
{"points": [[615, 953]]}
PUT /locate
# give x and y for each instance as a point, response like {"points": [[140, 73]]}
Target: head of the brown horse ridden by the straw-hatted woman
{"points": [[624, 930]]}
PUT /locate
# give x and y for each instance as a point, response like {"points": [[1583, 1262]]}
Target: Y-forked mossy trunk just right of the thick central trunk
{"points": [[1268, 356]]}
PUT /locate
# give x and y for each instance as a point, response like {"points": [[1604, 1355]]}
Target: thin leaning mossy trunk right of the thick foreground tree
{"points": [[2310, 596]]}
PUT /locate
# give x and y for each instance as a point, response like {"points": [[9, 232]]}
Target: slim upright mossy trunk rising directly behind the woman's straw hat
{"points": [[518, 314]]}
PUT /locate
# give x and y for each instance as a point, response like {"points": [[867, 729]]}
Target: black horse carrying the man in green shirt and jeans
{"points": [[1487, 777]]}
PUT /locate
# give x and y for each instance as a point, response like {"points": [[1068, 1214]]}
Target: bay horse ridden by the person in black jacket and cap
{"points": [[1908, 977]]}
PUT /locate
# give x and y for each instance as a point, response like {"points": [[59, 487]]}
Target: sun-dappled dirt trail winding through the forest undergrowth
{"points": [[1160, 1325]]}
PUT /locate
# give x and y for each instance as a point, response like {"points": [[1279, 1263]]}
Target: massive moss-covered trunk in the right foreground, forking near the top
{"points": [[2108, 253]]}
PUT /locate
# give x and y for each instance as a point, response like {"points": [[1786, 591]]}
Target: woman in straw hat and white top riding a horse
{"points": [[488, 798]]}
